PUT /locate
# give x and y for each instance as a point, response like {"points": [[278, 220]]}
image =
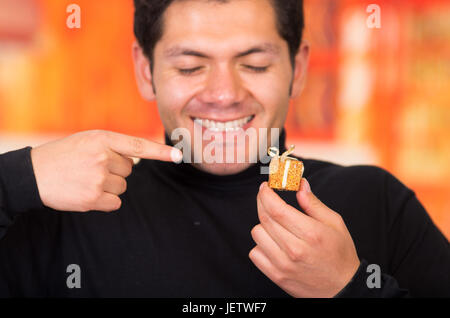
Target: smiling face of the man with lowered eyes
{"points": [[222, 68]]}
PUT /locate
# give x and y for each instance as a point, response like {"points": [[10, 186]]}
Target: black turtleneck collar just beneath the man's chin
{"points": [[192, 175]]}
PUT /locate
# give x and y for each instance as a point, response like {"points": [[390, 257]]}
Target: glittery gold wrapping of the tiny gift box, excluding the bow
{"points": [[276, 172]]}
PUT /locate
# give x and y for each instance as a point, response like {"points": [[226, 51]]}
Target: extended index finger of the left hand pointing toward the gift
{"points": [[142, 148]]}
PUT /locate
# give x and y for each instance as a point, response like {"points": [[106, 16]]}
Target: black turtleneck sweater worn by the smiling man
{"points": [[182, 232]]}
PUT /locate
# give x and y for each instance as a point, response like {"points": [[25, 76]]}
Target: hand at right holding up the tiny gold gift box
{"points": [[309, 254]]}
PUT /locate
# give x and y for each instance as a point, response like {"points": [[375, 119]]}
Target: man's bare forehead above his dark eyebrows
{"points": [[218, 26]]}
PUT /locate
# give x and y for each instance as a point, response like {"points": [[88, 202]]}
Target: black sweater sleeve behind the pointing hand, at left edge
{"points": [[18, 188]]}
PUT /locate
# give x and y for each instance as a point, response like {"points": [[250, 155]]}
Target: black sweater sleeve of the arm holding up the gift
{"points": [[418, 253]]}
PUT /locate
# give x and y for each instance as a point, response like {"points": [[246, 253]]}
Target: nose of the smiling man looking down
{"points": [[223, 88]]}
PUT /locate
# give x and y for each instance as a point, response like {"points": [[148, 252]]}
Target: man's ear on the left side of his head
{"points": [[142, 73]]}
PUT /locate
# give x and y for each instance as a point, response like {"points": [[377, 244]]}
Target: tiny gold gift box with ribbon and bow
{"points": [[285, 173]]}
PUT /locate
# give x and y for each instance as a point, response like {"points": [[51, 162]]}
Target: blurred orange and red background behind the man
{"points": [[374, 95]]}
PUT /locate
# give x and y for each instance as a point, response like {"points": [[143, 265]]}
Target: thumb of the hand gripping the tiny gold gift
{"points": [[312, 206]]}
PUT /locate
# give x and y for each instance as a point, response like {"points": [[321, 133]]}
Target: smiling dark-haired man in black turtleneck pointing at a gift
{"points": [[210, 228]]}
